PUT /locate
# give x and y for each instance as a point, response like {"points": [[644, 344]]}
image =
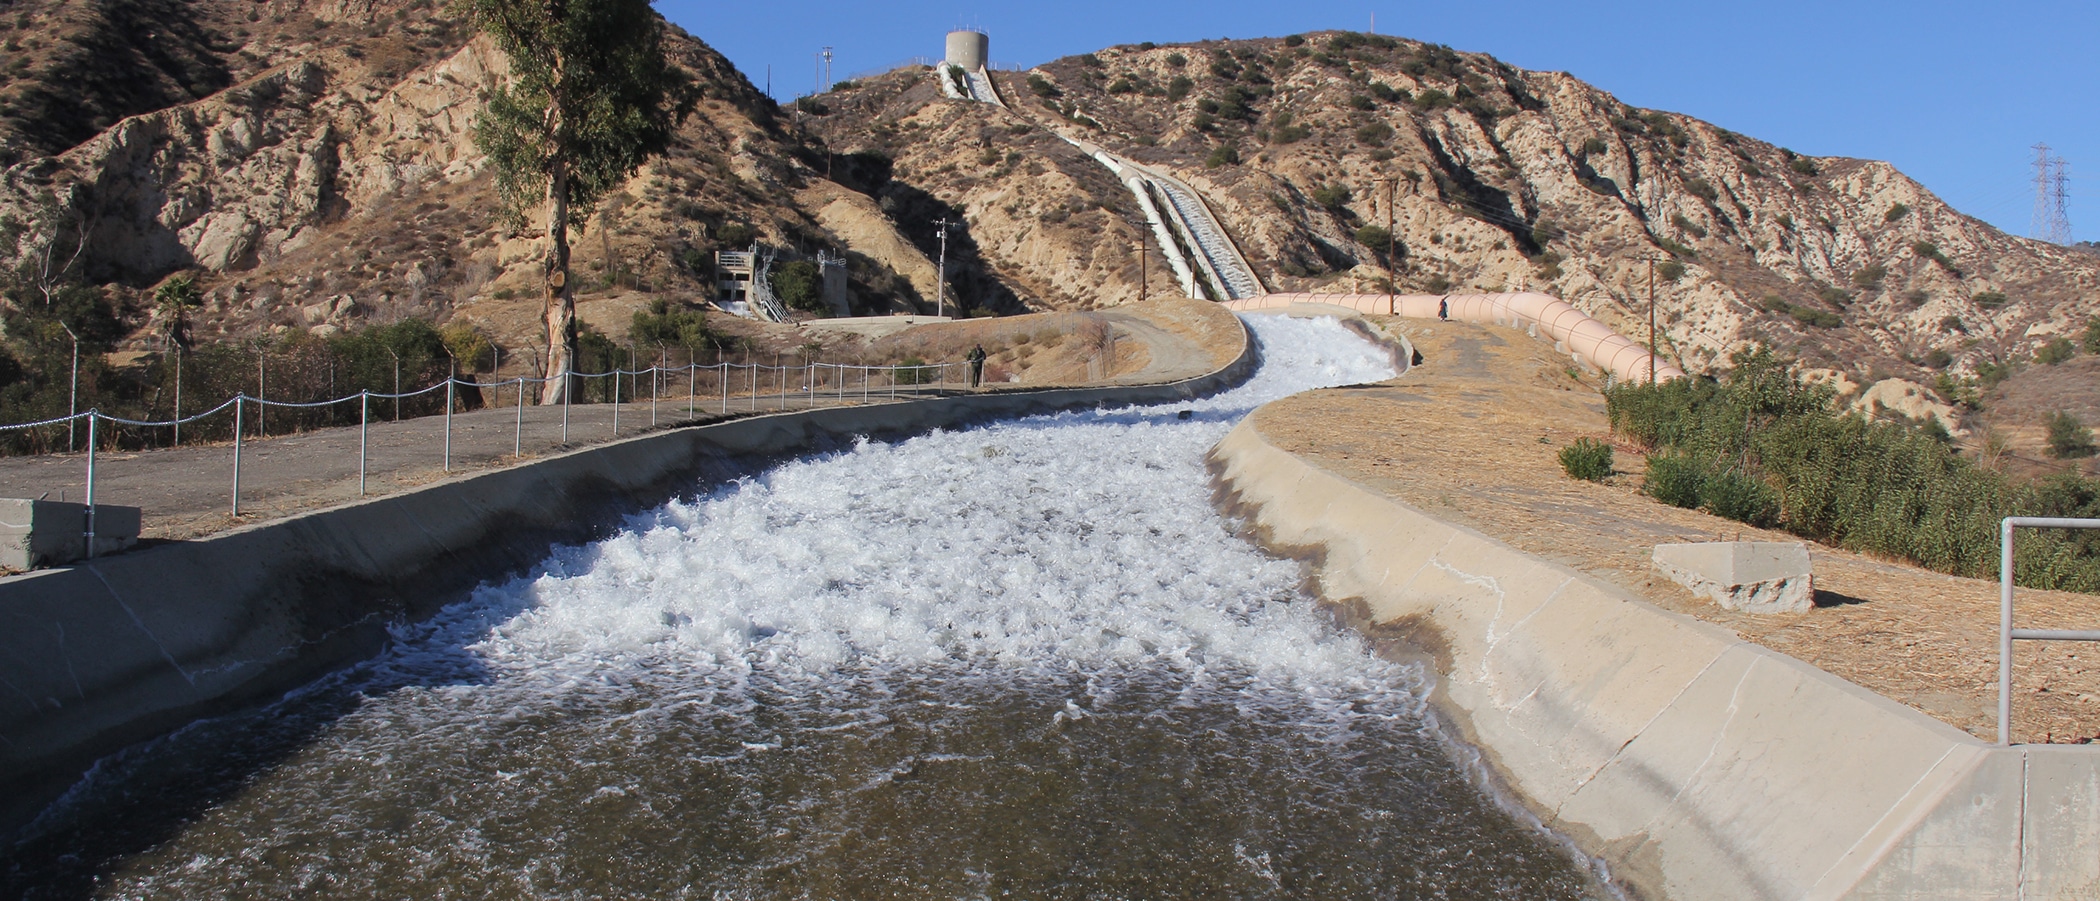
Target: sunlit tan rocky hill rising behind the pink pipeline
{"points": [[1500, 180]]}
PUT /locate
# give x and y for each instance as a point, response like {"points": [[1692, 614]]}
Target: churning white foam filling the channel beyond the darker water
{"points": [[1074, 541]]}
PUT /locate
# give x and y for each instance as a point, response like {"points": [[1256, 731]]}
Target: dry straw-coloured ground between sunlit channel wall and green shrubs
{"points": [[1473, 438]]}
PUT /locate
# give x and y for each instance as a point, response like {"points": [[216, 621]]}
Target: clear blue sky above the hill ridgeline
{"points": [[1956, 96]]}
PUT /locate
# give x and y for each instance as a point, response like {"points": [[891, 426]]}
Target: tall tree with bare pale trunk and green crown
{"points": [[591, 98]]}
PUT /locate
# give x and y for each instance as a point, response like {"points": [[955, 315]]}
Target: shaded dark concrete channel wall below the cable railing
{"points": [[102, 656]]}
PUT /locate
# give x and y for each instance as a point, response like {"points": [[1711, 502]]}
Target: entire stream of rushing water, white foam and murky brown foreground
{"points": [[1011, 661]]}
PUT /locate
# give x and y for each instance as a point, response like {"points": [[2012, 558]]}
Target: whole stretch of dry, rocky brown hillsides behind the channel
{"points": [[312, 161]]}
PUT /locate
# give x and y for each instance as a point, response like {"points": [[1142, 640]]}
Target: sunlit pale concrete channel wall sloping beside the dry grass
{"points": [[1694, 763]]}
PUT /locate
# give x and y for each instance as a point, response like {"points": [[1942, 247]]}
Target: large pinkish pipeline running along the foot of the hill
{"points": [[1589, 339]]}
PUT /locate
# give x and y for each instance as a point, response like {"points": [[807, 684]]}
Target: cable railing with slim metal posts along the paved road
{"points": [[732, 390]]}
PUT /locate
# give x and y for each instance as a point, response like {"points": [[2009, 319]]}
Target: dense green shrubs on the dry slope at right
{"points": [[1767, 448]]}
